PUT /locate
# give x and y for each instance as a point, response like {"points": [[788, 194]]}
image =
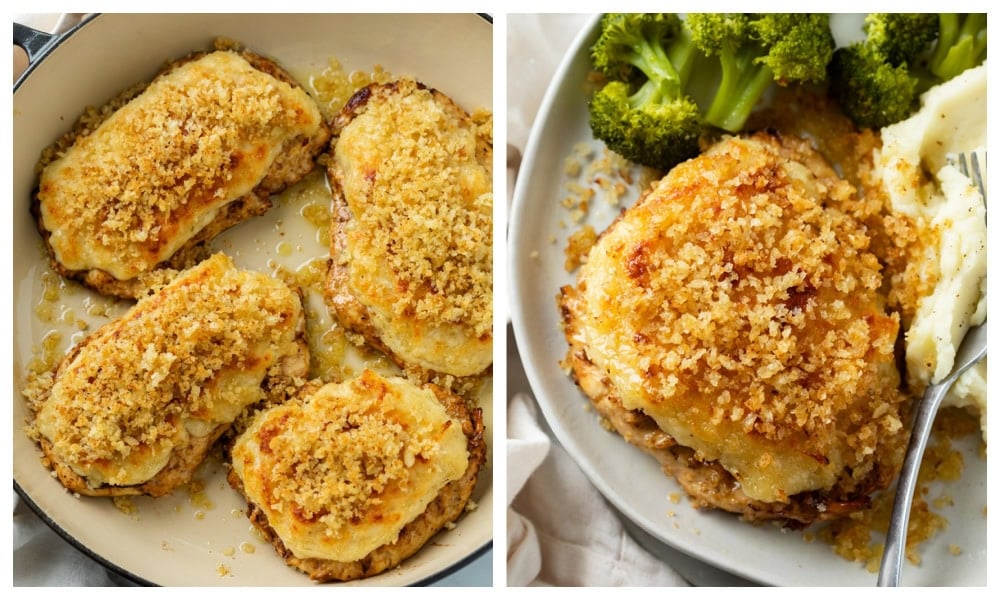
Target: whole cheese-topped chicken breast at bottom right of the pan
{"points": [[349, 479]]}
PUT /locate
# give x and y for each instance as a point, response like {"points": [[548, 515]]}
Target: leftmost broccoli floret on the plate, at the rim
{"points": [[643, 112]]}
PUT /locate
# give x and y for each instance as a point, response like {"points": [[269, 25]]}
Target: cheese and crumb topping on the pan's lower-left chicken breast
{"points": [[175, 366]]}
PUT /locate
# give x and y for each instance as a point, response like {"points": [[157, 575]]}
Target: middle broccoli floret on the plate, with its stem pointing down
{"points": [[756, 50]]}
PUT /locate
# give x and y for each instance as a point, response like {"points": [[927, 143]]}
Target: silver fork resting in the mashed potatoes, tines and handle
{"points": [[971, 351]]}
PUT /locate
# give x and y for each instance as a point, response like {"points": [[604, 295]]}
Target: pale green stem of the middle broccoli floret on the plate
{"points": [[742, 85]]}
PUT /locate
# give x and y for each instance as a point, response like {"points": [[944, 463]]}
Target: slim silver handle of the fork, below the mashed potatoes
{"points": [[895, 540]]}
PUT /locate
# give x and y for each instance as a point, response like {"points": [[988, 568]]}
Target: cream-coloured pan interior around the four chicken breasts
{"points": [[204, 538]]}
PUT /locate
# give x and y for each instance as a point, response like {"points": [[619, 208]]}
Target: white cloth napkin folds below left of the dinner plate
{"points": [[560, 530]]}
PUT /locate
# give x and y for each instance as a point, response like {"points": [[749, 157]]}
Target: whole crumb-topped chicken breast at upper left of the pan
{"points": [[142, 185]]}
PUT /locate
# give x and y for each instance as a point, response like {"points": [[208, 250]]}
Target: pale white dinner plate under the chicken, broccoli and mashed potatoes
{"points": [[629, 478]]}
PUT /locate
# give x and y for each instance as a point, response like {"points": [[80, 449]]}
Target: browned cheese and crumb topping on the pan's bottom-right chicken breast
{"points": [[342, 472]]}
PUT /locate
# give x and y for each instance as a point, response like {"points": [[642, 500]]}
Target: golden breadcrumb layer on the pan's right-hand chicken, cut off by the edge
{"points": [[428, 217]]}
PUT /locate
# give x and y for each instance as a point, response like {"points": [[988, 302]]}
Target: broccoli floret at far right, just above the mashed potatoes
{"points": [[878, 81]]}
